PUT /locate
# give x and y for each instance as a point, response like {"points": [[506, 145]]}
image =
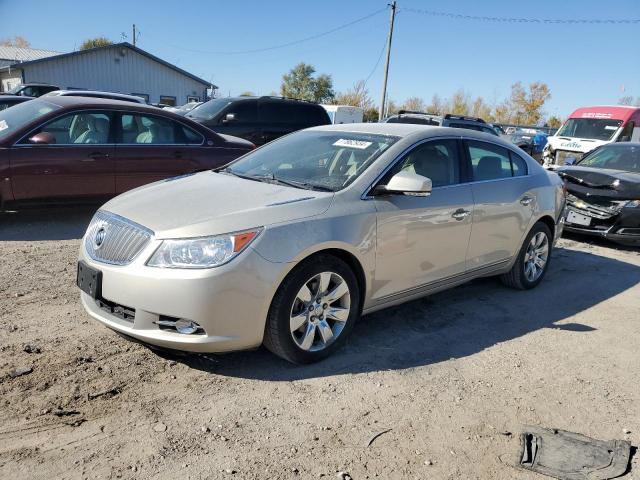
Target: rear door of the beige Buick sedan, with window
{"points": [[503, 204]]}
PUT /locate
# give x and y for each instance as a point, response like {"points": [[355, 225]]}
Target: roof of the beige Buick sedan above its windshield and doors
{"points": [[407, 129]]}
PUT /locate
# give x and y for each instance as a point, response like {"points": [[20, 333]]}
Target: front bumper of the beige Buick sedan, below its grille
{"points": [[230, 302]]}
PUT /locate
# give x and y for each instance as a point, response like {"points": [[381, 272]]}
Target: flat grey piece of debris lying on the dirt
{"points": [[571, 456]]}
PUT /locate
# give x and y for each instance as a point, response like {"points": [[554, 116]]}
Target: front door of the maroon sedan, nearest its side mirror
{"points": [[78, 164]]}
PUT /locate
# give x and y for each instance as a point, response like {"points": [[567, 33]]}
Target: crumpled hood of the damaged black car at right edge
{"points": [[601, 182]]}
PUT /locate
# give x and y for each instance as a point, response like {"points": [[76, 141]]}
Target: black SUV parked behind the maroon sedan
{"points": [[259, 119]]}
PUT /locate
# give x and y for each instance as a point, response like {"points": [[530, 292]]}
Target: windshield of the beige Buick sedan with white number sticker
{"points": [[320, 160]]}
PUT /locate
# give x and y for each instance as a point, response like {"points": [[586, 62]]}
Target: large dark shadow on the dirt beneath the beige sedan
{"points": [[452, 324]]}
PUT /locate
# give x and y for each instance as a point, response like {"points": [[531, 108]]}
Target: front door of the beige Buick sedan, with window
{"points": [[423, 239]]}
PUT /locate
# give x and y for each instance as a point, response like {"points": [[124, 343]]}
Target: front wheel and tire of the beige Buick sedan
{"points": [[313, 311]]}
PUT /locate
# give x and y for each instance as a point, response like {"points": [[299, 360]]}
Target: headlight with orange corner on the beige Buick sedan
{"points": [[203, 252]]}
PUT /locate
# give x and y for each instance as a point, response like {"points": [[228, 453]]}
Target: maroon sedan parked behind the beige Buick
{"points": [[58, 149]]}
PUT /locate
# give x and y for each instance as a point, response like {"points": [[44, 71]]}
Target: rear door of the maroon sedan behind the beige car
{"points": [[151, 147]]}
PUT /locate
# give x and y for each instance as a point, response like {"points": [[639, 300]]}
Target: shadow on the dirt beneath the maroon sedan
{"points": [[60, 223]]}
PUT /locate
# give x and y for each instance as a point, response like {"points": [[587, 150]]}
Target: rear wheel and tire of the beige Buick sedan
{"points": [[533, 259]]}
